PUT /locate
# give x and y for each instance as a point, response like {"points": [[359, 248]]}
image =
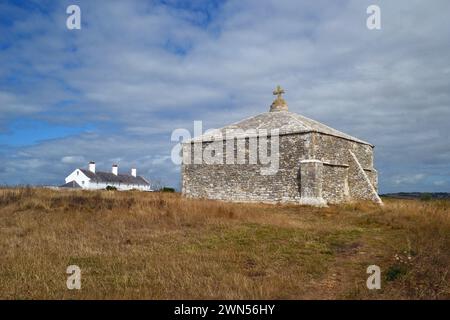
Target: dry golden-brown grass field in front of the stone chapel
{"points": [[134, 245]]}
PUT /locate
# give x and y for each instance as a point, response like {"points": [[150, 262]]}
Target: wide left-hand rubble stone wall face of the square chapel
{"points": [[244, 182]]}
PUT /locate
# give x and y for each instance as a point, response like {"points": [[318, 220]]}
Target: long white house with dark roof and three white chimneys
{"points": [[96, 180]]}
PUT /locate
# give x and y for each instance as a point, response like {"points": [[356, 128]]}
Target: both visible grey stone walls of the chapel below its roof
{"points": [[244, 182]]}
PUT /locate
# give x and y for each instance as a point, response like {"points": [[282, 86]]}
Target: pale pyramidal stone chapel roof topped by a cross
{"points": [[277, 118]]}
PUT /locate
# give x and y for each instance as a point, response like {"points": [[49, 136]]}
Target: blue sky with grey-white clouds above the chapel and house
{"points": [[116, 89]]}
